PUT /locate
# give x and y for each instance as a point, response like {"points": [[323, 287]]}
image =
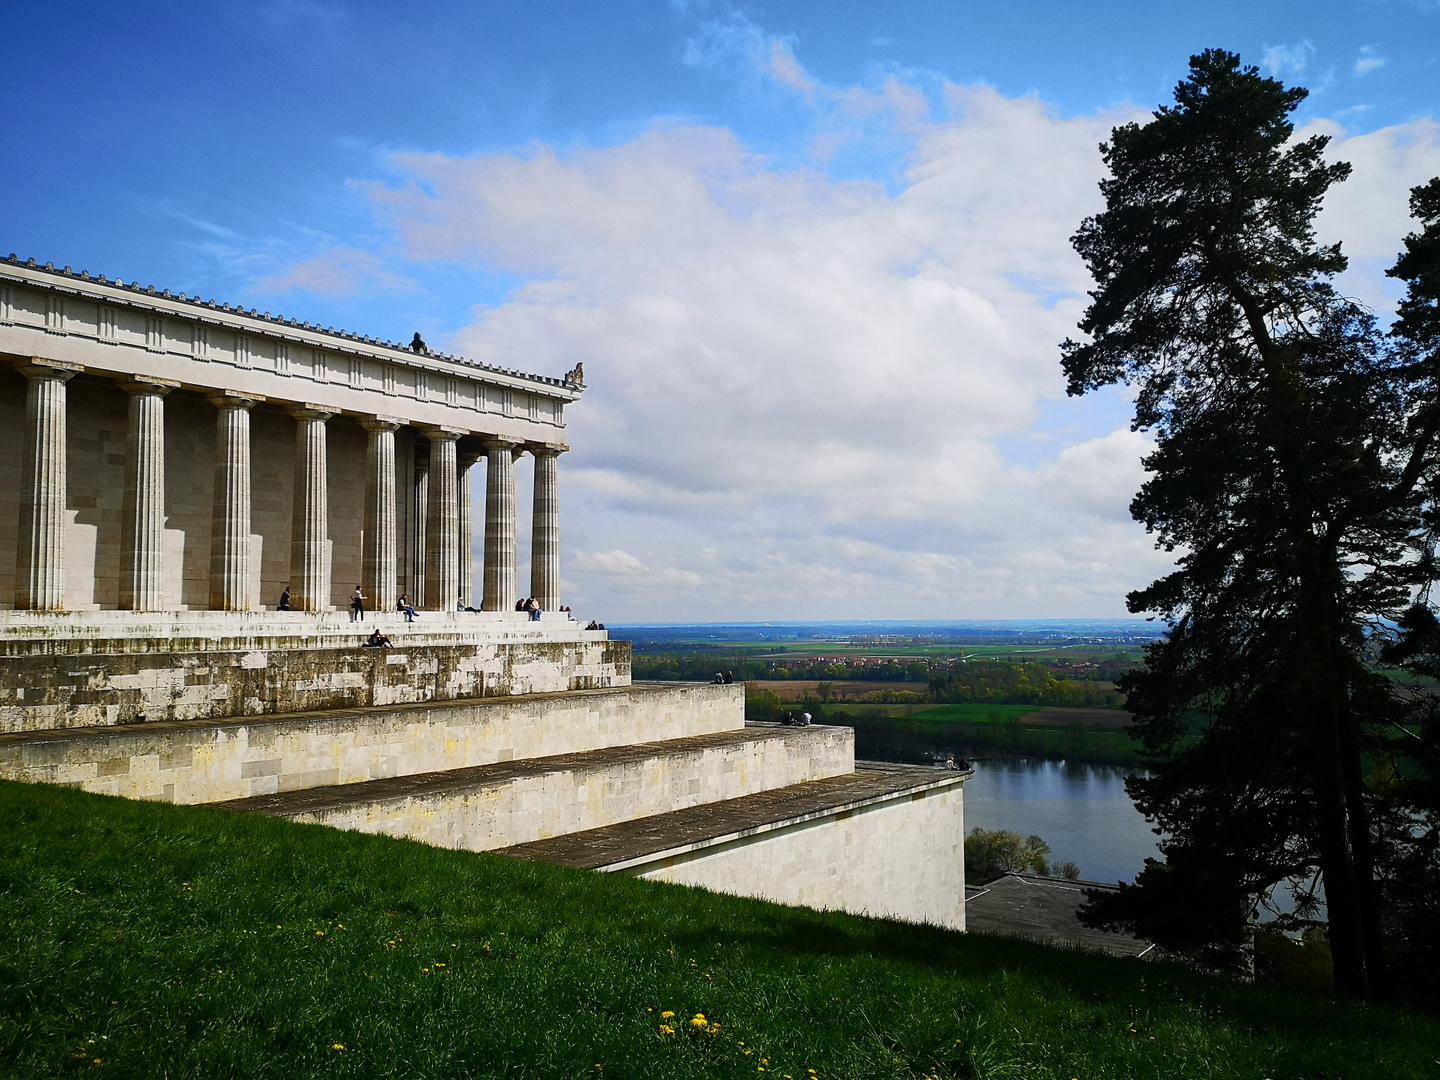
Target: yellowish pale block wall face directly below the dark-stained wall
{"points": [[215, 761]]}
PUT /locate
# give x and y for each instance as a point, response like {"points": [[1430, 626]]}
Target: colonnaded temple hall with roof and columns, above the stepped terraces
{"points": [[162, 453]]}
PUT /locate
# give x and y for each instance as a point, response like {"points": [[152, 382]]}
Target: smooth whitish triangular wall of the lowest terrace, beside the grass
{"points": [[899, 859]]}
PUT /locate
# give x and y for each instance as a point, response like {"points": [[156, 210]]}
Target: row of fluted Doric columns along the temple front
{"points": [[444, 523]]}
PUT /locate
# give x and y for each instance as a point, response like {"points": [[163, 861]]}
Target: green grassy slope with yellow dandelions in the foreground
{"points": [[152, 941]]}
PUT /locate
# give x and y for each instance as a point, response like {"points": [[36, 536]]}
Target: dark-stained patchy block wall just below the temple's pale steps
{"points": [[57, 692]]}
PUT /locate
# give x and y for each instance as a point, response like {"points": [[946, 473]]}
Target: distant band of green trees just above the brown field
{"points": [[976, 682]]}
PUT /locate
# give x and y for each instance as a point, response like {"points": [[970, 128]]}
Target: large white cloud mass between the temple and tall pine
{"points": [[804, 391]]}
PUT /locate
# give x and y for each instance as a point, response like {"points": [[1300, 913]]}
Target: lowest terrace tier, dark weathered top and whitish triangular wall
{"points": [[886, 840]]}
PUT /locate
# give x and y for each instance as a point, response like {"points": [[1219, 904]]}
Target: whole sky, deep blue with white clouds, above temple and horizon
{"points": [[692, 198]]}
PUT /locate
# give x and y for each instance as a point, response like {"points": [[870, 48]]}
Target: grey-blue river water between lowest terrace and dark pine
{"points": [[1082, 811]]}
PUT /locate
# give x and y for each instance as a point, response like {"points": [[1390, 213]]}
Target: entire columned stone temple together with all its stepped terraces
{"points": [[169, 467]]}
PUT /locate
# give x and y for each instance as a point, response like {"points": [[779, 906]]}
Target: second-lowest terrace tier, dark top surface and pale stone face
{"points": [[500, 806]]}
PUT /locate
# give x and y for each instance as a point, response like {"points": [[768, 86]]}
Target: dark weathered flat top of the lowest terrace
{"points": [[642, 846]]}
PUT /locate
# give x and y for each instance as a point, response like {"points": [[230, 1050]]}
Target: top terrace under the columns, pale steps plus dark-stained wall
{"points": [[106, 669]]}
